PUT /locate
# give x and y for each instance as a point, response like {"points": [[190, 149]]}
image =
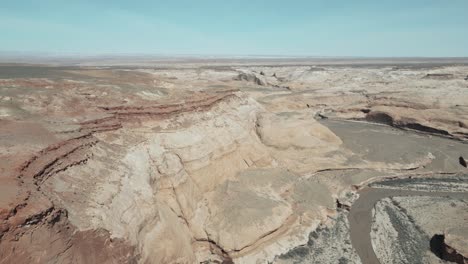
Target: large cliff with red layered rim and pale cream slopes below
{"points": [[179, 182]]}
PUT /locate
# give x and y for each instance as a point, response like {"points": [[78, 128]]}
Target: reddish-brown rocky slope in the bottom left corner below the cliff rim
{"points": [[50, 238]]}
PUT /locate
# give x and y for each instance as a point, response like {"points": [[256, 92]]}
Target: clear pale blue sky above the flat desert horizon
{"points": [[377, 28]]}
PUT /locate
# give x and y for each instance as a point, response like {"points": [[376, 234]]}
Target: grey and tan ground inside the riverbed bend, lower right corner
{"points": [[403, 229]]}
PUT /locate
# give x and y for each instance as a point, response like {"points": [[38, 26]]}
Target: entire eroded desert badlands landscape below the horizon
{"points": [[234, 161]]}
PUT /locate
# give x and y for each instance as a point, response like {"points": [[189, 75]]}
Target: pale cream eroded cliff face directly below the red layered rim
{"points": [[148, 182]]}
